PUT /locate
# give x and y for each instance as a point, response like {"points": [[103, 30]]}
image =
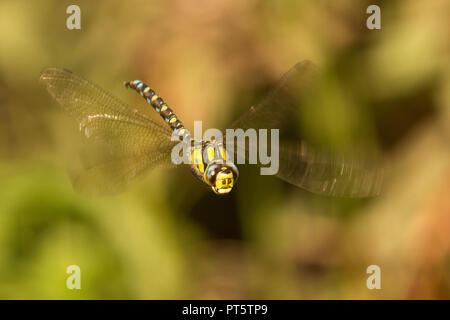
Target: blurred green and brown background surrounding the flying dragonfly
{"points": [[170, 238]]}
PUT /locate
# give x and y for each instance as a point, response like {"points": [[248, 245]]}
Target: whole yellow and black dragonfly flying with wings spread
{"points": [[136, 143]]}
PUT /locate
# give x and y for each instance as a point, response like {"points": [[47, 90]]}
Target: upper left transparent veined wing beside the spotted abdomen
{"points": [[100, 115]]}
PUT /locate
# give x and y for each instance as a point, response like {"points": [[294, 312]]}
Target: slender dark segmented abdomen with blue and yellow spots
{"points": [[160, 106]]}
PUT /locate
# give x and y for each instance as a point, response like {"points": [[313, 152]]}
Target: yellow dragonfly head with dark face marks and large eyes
{"points": [[221, 177]]}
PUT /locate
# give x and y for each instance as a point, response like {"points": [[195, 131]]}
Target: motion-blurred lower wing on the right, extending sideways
{"points": [[345, 174]]}
